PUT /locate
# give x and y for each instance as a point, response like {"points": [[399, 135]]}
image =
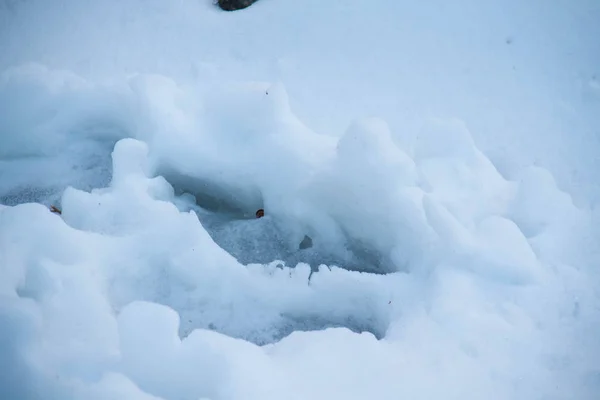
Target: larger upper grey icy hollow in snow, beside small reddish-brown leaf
{"points": [[229, 216]]}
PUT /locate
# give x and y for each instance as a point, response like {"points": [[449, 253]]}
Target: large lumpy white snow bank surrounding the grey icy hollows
{"points": [[477, 247]]}
